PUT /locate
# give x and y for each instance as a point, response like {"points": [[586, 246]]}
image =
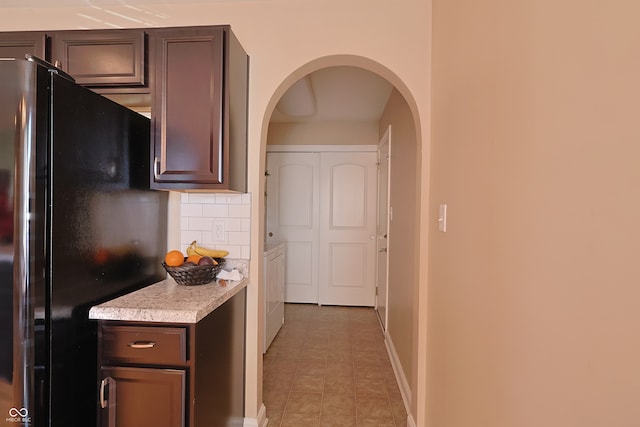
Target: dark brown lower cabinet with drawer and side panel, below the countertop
{"points": [[174, 374]]}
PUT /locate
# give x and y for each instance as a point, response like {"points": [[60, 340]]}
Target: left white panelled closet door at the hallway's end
{"points": [[292, 217]]}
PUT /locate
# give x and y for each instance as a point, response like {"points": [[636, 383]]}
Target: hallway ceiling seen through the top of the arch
{"points": [[334, 94]]}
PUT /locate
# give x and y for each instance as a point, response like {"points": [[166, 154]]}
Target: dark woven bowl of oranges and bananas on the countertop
{"points": [[198, 268]]}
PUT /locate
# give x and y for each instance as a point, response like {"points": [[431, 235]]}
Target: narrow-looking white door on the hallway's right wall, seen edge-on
{"points": [[382, 277]]}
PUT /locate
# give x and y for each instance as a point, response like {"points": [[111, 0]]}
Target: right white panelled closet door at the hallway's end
{"points": [[348, 192]]}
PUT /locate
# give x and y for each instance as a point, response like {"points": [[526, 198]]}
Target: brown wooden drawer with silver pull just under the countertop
{"points": [[144, 344]]}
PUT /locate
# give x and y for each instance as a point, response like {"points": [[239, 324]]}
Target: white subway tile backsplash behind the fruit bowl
{"points": [[218, 221]]}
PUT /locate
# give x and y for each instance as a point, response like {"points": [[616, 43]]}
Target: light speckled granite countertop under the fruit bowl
{"points": [[168, 302]]}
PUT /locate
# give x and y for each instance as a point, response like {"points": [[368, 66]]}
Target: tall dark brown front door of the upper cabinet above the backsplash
{"points": [[187, 107]]}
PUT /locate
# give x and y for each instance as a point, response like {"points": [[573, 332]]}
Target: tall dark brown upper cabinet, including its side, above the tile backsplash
{"points": [[199, 109]]}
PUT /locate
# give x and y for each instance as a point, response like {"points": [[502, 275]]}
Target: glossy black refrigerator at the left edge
{"points": [[78, 226]]}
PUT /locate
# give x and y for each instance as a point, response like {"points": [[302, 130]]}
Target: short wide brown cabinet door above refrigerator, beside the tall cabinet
{"points": [[101, 58]]}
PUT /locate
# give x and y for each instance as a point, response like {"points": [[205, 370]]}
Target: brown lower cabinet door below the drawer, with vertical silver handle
{"points": [[143, 397]]}
